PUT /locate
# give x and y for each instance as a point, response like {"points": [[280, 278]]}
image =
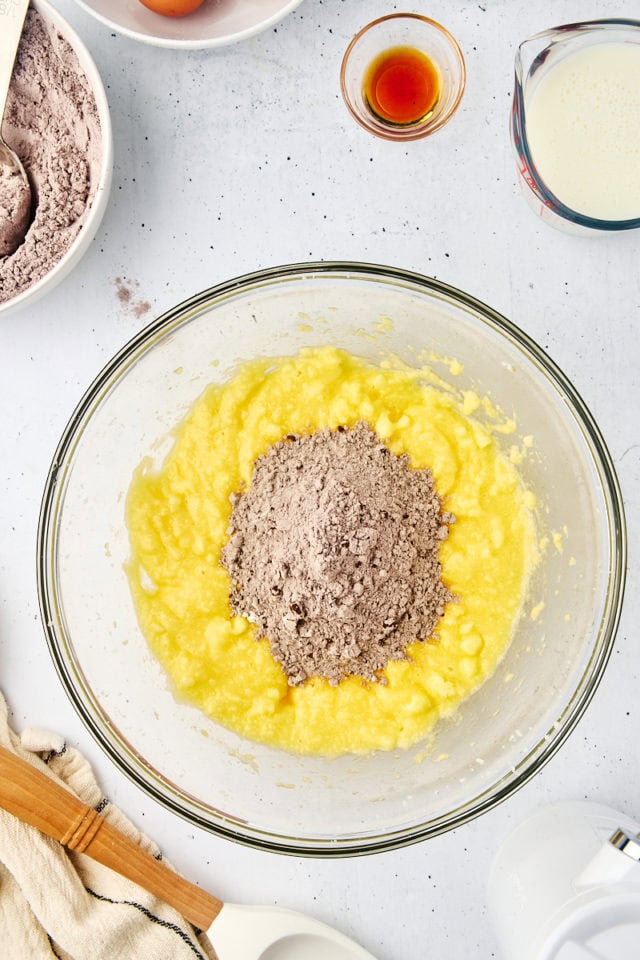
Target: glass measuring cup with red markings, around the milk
{"points": [[535, 58]]}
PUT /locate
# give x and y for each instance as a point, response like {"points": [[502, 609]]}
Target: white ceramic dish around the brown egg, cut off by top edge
{"points": [[214, 24]]}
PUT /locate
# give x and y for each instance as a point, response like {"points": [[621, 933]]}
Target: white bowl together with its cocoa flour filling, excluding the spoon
{"points": [[57, 121]]}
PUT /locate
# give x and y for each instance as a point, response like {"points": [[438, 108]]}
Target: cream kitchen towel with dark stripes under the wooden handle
{"points": [[55, 903]]}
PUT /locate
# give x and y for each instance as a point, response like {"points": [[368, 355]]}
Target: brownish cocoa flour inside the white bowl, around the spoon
{"points": [[52, 123]]}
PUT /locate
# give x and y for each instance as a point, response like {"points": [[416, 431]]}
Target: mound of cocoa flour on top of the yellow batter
{"points": [[333, 554]]}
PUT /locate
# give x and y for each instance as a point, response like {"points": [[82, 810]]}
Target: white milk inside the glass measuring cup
{"points": [[583, 130]]}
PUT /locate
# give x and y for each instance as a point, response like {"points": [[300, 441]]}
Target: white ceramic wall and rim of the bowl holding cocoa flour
{"points": [[101, 194]]}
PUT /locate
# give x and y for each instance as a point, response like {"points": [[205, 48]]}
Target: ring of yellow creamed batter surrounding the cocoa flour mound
{"points": [[177, 519]]}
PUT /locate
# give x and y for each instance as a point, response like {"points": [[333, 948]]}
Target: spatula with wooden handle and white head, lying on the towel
{"points": [[237, 932]]}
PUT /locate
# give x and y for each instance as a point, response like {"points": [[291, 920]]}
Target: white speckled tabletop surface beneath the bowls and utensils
{"points": [[244, 157]]}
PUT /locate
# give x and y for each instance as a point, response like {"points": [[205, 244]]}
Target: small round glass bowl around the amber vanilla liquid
{"points": [[403, 30]]}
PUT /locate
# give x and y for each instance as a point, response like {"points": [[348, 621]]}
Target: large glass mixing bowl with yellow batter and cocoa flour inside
{"points": [[331, 558]]}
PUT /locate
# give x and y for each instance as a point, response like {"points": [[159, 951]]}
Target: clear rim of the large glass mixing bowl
{"points": [[528, 765]]}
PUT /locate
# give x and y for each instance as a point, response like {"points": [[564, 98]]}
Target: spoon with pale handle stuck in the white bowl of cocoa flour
{"points": [[12, 16]]}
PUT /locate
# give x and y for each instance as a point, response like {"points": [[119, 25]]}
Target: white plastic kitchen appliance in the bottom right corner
{"points": [[565, 885]]}
